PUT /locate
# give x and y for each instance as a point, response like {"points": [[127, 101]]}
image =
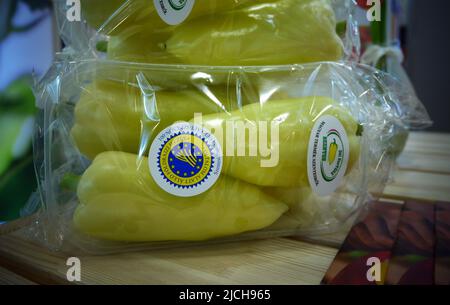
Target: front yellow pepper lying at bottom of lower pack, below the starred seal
{"points": [[120, 201]]}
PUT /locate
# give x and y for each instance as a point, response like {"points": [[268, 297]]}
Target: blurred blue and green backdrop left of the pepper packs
{"points": [[27, 45]]}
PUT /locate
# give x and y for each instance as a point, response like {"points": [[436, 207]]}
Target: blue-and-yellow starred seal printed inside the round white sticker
{"points": [[185, 160]]}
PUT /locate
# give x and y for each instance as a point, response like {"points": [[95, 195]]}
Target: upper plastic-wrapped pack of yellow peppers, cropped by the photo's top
{"points": [[208, 32]]}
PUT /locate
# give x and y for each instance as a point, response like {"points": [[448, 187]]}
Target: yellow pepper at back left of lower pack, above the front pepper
{"points": [[110, 116]]}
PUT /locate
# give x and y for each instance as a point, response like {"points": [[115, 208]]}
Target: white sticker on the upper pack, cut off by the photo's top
{"points": [[173, 12]]}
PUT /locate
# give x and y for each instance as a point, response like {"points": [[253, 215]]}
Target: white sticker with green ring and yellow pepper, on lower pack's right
{"points": [[328, 153]]}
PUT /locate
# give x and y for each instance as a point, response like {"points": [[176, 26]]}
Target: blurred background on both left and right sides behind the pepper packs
{"points": [[29, 40]]}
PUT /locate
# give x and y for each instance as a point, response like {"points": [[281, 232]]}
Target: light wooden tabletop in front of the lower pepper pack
{"points": [[271, 261]]}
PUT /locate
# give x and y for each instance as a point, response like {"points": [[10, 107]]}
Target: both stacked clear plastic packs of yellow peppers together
{"points": [[201, 120]]}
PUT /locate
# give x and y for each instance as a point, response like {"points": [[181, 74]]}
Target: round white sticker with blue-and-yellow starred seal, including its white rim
{"points": [[185, 159]]}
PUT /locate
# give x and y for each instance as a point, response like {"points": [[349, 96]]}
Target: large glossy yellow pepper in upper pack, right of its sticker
{"points": [[283, 32]]}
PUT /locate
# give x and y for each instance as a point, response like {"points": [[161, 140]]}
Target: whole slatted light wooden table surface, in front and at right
{"points": [[423, 172]]}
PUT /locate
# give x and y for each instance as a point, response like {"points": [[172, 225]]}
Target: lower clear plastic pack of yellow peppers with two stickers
{"points": [[132, 156]]}
